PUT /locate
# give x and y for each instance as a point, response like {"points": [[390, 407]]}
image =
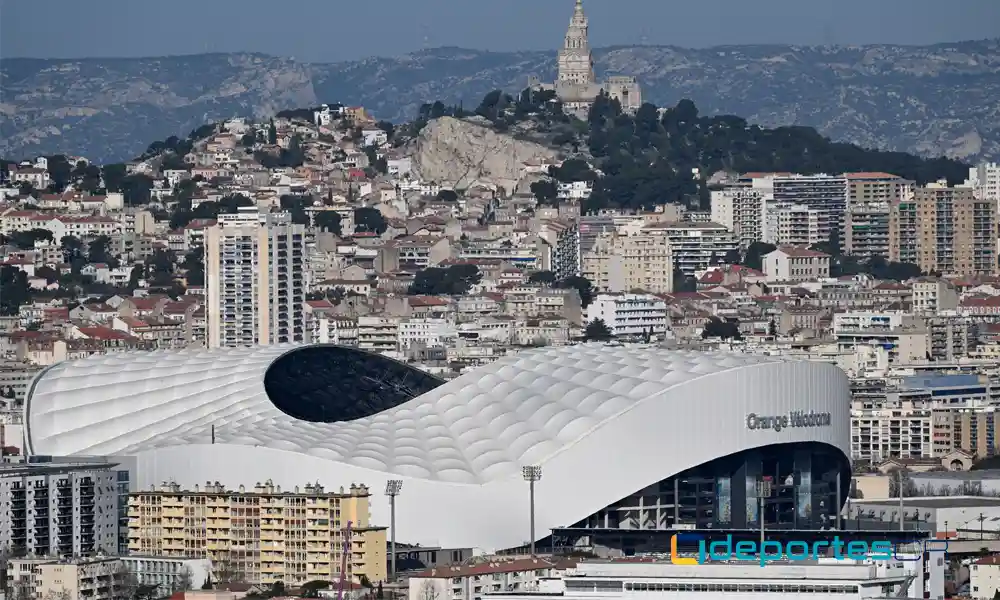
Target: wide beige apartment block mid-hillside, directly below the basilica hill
{"points": [[617, 262]]}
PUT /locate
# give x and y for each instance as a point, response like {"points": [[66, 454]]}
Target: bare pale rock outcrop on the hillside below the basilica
{"points": [[461, 152]]}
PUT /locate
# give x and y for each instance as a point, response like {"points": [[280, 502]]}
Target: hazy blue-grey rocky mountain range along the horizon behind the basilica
{"points": [[929, 100]]}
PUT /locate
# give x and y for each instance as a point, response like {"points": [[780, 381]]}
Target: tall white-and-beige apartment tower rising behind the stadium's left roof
{"points": [[254, 276]]}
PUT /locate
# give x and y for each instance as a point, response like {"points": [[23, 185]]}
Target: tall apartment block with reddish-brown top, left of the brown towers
{"points": [[866, 222]]}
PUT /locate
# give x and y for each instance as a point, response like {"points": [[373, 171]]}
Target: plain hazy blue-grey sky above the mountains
{"points": [[330, 30]]}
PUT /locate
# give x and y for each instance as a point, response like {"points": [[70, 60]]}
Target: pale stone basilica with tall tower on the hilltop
{"points": [[576, 85]]}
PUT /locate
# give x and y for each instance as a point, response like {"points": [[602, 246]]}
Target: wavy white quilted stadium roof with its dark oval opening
{"points": [[354, 407]]}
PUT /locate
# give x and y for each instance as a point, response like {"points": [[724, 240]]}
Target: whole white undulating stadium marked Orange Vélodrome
{"points": [[605, 423]]}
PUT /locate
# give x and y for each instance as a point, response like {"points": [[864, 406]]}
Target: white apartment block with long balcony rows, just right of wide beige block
{"points": [[693, 246]]}
